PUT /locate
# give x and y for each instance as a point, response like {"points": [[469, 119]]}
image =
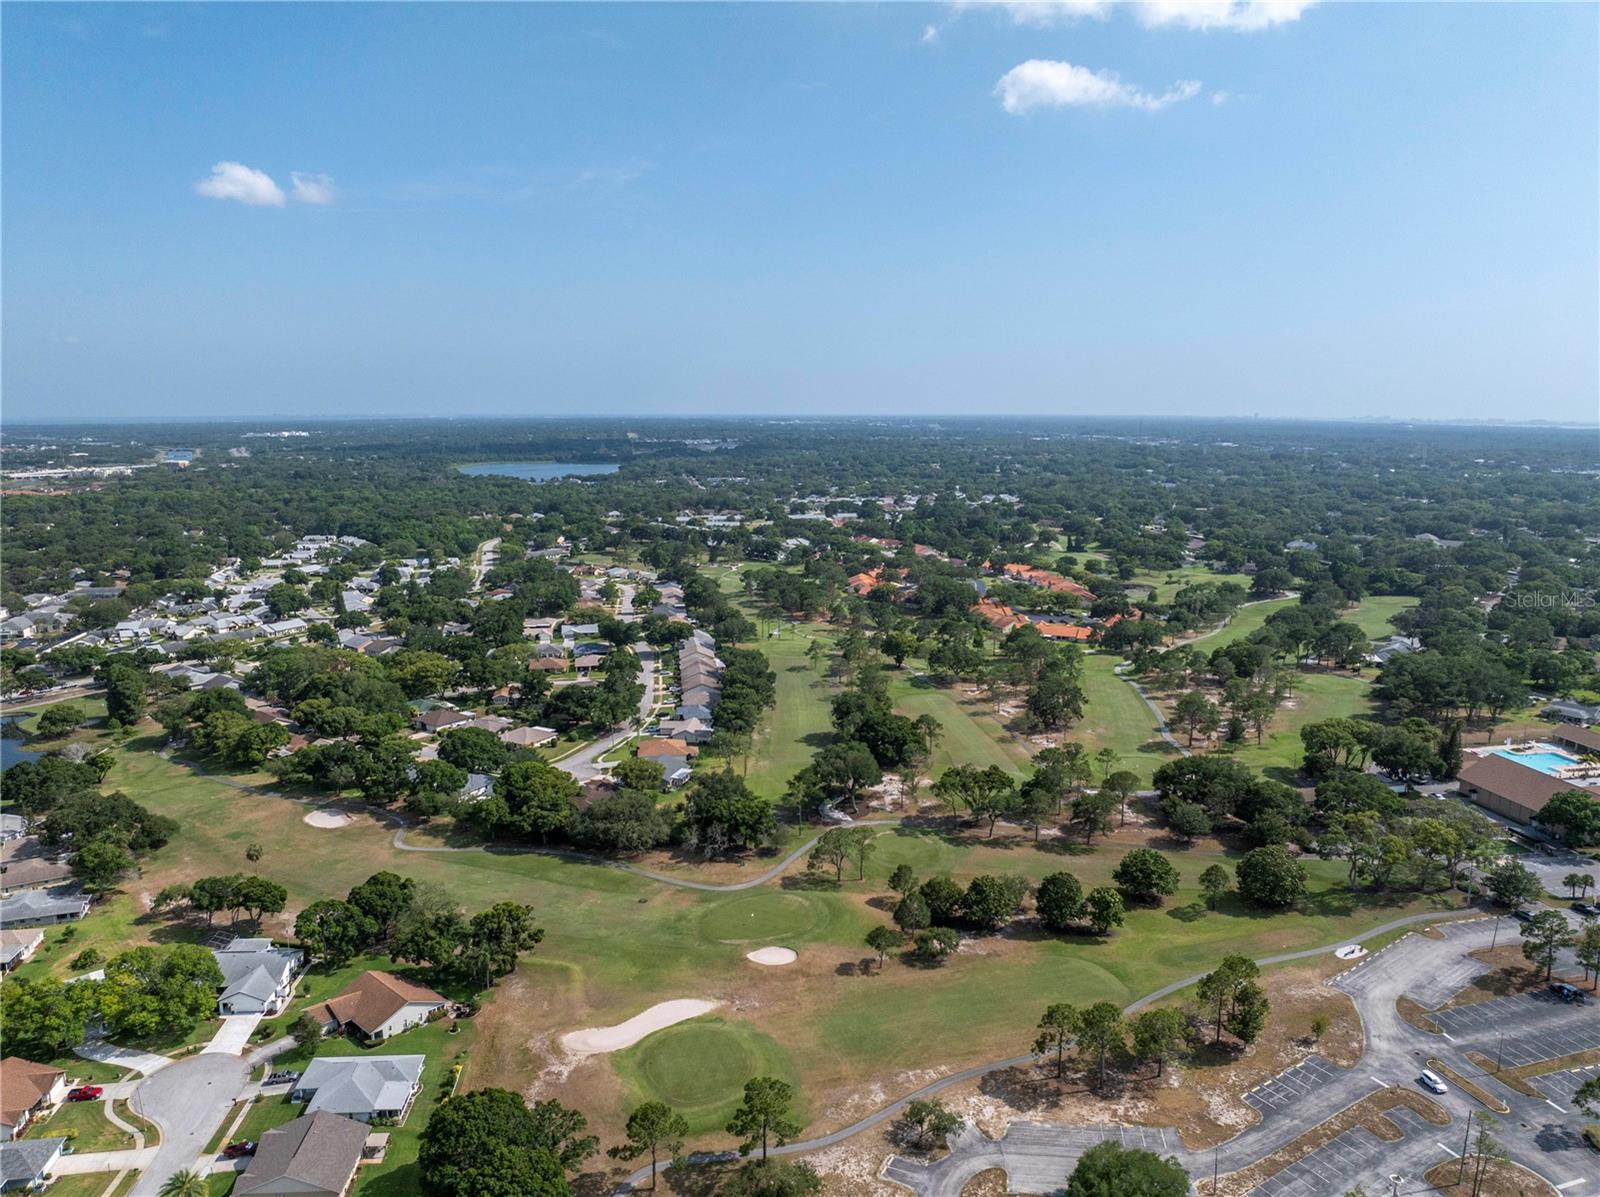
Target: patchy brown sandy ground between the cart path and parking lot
{"points": [[1202, 1097]]}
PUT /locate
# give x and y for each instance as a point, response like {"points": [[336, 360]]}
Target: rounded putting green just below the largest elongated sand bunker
{"points": [[700, 1068]]}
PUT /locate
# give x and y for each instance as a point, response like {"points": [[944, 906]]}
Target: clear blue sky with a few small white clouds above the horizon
{"points": [[332, 210]]}
